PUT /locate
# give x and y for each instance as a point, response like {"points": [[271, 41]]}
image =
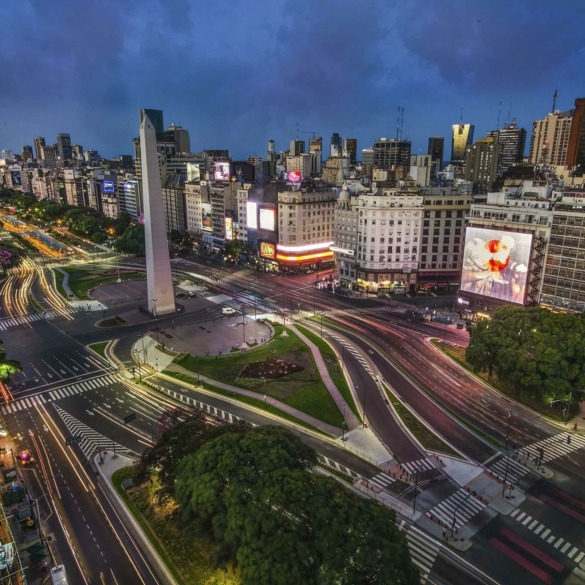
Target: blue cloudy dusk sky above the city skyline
{"points": [[236, 73]]}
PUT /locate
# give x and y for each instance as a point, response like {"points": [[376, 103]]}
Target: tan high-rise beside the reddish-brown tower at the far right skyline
{"points": [[550, 139]]}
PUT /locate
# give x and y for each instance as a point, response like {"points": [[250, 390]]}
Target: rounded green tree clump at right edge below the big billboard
{"points": [[533, 351]]}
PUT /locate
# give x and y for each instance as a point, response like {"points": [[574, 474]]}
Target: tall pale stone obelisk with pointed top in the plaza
{"points": [[158, 268]]}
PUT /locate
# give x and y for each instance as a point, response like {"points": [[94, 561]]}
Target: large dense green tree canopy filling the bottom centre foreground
{"points": [[252, 491]]}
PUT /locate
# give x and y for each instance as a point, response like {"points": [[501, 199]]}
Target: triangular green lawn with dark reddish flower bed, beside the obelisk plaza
{"points": [[301, 389]]}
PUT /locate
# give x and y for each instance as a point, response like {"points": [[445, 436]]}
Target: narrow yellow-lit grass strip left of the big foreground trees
{"points": [[188, 558]]}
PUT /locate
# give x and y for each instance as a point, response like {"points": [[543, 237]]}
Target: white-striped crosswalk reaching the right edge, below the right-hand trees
{"points": [[515, 466]]}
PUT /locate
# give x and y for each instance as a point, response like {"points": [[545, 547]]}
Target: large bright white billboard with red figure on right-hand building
{"points": [[495, 264]]}
